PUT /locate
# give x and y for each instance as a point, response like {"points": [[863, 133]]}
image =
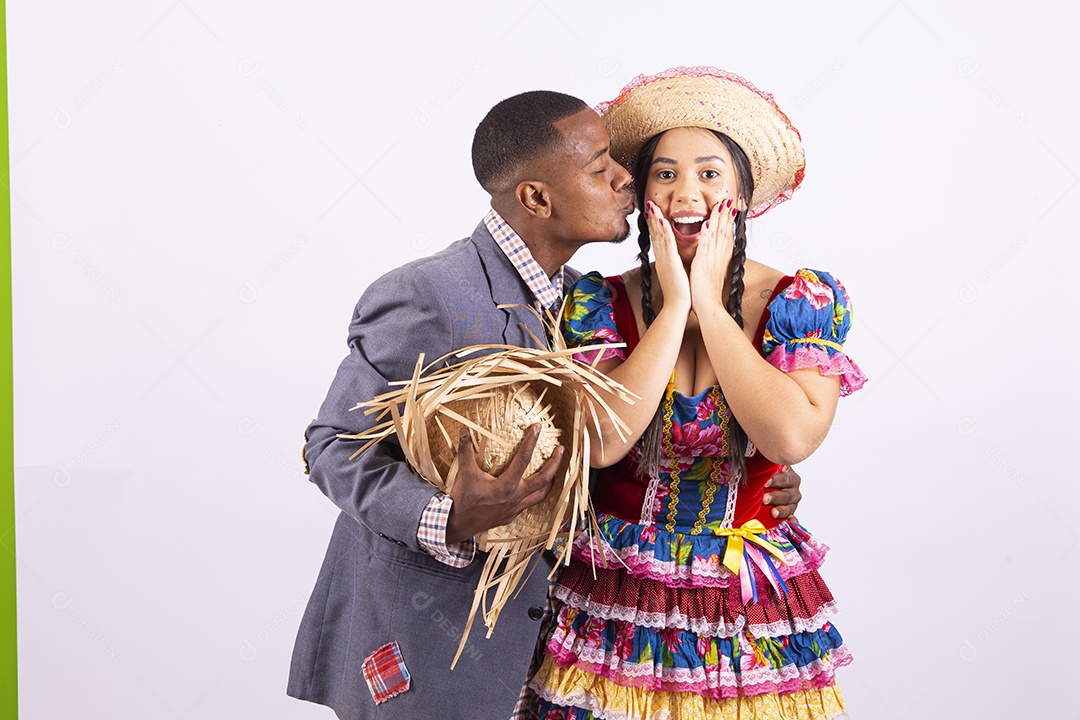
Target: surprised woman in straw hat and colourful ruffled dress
{"points": [[695, 603]]}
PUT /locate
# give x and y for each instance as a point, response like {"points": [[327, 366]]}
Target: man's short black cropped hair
{"points": [[517, 131]]}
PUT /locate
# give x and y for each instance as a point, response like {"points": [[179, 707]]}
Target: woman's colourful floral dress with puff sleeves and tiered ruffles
{"points": [[694, 603]]}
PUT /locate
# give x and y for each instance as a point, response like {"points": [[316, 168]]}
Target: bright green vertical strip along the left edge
{"points": [[9, 656]]}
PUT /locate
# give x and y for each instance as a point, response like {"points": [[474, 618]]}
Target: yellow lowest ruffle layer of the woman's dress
{"points": [[588, 695]]}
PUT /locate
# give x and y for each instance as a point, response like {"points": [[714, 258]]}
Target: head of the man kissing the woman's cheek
{"points": [[544, 157]]}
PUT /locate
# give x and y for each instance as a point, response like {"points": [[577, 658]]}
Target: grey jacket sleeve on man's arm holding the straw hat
{"points": [[399, 317]]}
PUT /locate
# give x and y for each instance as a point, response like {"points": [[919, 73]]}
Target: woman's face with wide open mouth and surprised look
{"points": [[691, 173]]}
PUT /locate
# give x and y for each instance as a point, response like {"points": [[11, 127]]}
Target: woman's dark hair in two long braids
{"points": [[650, 461]]}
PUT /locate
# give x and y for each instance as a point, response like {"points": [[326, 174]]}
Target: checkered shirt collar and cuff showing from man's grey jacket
{"points": [[547, 292]]}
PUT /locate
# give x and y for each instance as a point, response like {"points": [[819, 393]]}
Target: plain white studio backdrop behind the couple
{"points": [[201, 192]]}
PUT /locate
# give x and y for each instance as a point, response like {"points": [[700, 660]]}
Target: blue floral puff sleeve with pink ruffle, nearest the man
{"points": [[589, 319]]}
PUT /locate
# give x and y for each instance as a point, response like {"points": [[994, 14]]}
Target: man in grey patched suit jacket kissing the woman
{"points": [[397, 586]]}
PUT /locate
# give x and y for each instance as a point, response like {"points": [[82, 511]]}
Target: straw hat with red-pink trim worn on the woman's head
{"points": [[714, 100]]}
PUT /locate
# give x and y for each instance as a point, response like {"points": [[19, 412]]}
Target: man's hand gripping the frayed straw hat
{"points": [[482, 501]]}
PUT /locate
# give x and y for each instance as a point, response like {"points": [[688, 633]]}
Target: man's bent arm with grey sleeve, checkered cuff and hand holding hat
{"points": [[401, 316]]}
